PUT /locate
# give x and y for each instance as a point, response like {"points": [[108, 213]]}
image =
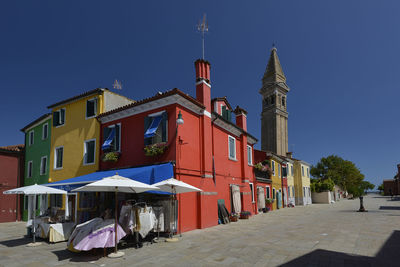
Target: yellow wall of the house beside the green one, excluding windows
{"points": [[72, 135]]}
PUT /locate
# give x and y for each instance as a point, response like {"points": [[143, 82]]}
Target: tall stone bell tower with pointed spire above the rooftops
{"points": [[274, 115]]}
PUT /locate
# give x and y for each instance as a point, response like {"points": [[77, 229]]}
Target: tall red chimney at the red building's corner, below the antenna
{"points": [[203, 87]]}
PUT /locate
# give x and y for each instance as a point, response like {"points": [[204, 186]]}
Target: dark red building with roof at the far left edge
{"points": [[11, 176]]}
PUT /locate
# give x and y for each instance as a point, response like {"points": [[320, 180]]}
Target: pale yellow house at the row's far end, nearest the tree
{"points": [[302, 182]]}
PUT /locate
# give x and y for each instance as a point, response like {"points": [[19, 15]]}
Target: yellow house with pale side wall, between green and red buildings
{"points": [[75, 132]]}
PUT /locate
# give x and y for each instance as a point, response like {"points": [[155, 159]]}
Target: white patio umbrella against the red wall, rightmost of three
{"points": [[175, 187]]}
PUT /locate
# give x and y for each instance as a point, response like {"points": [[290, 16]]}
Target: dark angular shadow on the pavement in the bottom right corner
{"points": [[387, 256]]}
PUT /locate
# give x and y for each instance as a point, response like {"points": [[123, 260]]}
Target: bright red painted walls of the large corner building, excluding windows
{"points": [[191, 149]]}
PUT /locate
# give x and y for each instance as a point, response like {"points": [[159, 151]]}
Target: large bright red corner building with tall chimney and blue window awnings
{"points": [[209, 150]]}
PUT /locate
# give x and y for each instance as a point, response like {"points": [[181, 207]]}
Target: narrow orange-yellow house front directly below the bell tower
{"points": [[276, 177]]}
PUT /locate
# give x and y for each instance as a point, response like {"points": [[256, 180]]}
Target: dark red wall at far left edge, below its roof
{"points": [[9, 179]]}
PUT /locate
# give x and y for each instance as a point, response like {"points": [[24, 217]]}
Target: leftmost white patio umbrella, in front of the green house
{"points": [[33, 190]]}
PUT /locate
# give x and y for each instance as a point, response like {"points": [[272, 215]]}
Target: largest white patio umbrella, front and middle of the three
{"points": [[116, 184]]}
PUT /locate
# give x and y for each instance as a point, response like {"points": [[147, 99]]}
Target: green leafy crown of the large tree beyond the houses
{"points": [[343, 173]]}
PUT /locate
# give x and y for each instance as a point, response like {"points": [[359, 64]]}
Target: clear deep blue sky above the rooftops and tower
{"points": [[341, 59]]}
